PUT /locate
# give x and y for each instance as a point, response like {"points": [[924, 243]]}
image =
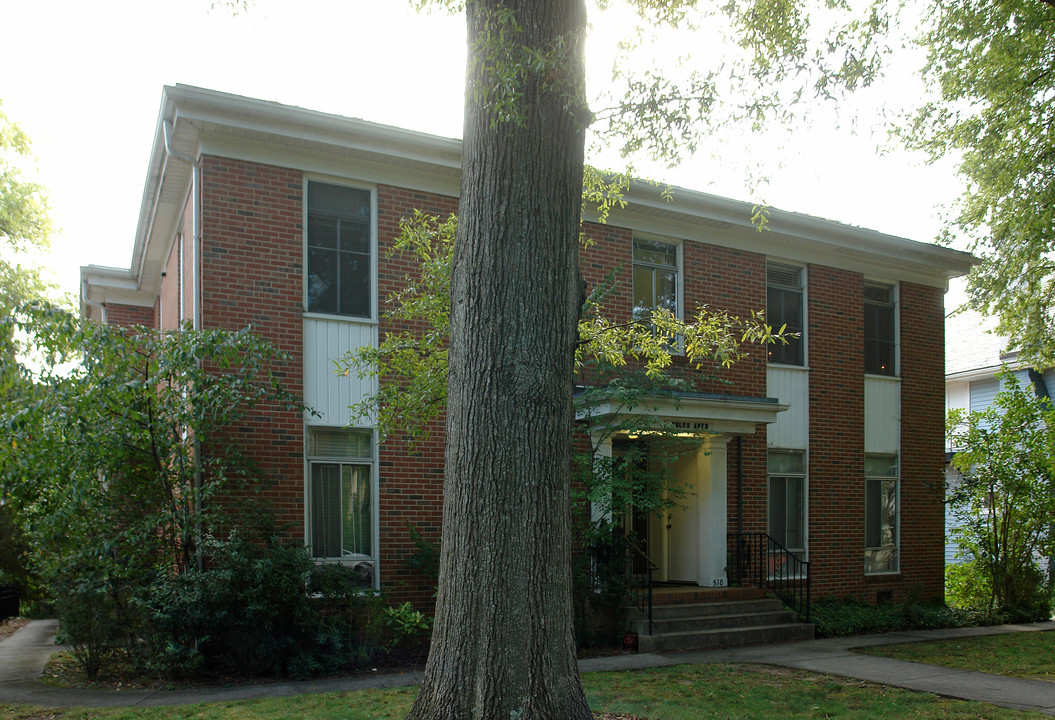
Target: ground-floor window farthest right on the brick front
{"points": [[881, 515]]}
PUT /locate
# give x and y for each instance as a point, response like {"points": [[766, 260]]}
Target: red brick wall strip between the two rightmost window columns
{"points": [[836, 348]]}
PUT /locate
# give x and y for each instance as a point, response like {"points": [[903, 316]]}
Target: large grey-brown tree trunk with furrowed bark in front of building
{"points": [[504, 645]]}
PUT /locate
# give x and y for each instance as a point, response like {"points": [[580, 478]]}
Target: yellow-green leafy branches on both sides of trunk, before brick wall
{"points": [[411, 361]]}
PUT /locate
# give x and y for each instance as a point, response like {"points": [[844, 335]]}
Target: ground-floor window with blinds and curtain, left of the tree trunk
{"points": [[341, 521]]}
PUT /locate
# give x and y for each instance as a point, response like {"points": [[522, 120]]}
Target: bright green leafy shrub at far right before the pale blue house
{"points": [[1005, 502]]}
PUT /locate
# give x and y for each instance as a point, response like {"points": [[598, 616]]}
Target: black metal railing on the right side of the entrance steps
{"points": [[758, 560]]}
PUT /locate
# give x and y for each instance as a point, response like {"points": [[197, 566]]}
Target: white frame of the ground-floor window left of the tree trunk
{"points": [[314, 460]]}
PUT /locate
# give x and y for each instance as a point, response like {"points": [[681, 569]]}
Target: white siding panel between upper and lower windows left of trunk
{"points": [[328, 393]]}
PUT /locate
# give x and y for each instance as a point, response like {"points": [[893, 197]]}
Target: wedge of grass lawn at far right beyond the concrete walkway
{"points": [[1019, 655]]}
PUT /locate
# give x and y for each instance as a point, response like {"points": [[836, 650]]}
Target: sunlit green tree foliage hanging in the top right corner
{"points": [[991, 68]]}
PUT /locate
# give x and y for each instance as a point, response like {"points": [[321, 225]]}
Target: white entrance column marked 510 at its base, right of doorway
{"points": [[714, 513]]}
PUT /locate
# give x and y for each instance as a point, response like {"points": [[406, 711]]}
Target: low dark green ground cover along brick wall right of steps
{"points": [[835, 618]]}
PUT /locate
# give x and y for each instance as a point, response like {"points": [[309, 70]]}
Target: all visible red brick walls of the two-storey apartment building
{"points": [[253, 273]]}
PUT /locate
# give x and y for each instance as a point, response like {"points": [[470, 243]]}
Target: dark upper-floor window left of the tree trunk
{"points": [[340, 251]]}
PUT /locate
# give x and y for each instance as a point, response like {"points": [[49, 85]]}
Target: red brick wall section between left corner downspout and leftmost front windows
{"points": [[252, 274]]}
